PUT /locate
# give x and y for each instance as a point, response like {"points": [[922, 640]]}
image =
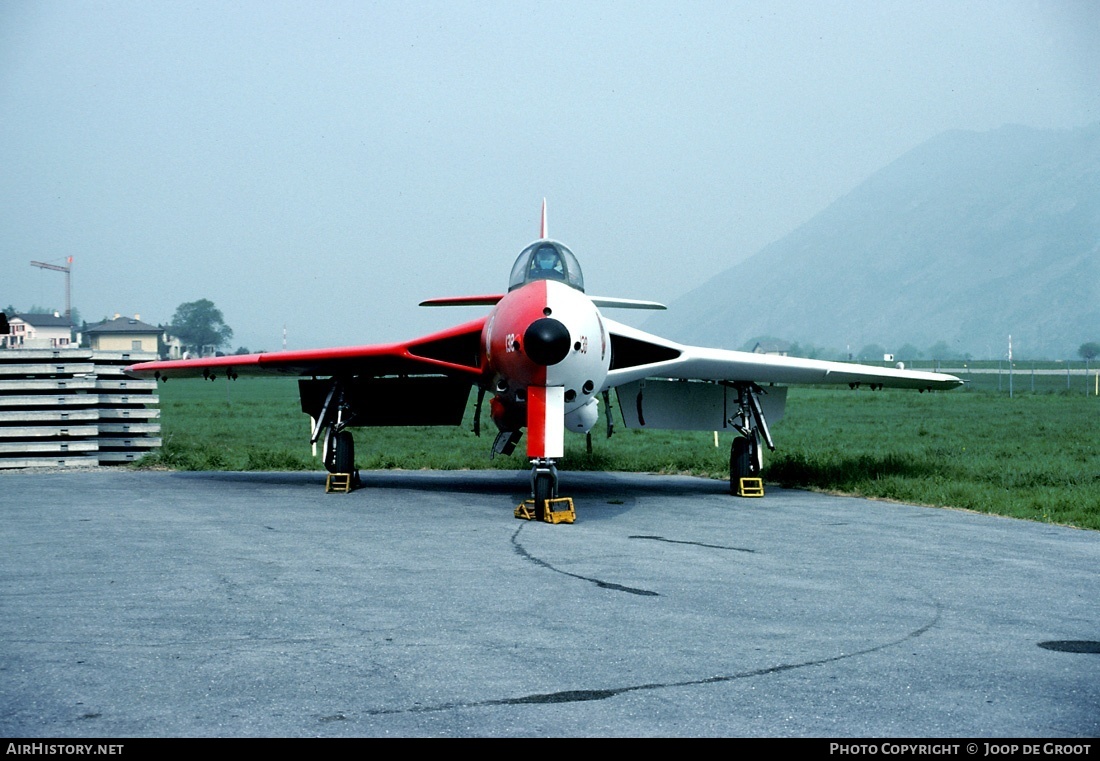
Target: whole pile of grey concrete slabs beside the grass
{"points": [[73, 407]]}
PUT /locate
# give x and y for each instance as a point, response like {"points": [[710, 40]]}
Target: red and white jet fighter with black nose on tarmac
{"points": [[547, 355]]}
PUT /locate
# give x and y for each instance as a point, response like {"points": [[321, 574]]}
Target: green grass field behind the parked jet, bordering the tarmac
{"points": [[1033, 456]]}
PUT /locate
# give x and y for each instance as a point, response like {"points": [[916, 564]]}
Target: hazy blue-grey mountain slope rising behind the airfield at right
{"points": [[966, 239]]}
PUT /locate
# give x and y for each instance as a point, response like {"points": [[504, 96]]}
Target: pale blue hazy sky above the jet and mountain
{"points": [[327, 166]]}
